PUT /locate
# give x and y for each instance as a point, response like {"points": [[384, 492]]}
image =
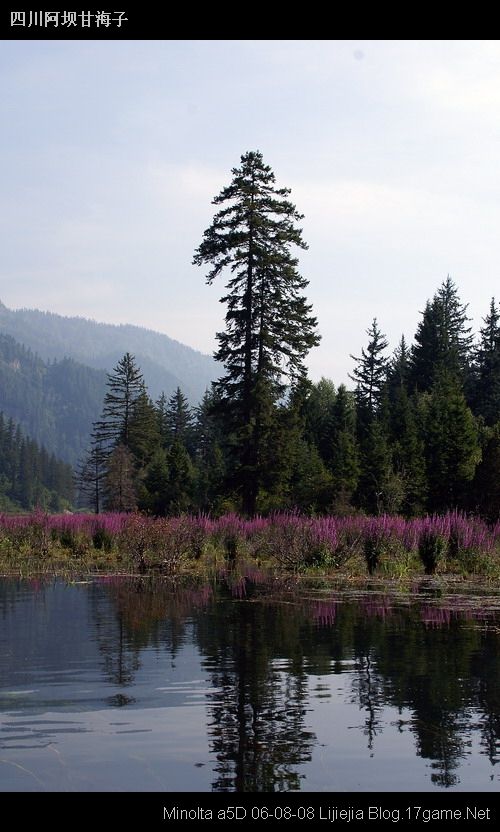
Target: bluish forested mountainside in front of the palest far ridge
{"points": [[54, 403]]}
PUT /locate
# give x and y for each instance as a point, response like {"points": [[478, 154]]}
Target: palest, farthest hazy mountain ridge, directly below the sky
{"points": [[165, 363]]}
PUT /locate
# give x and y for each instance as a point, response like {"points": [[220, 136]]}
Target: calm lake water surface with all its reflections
{"points": [[126, 684]]}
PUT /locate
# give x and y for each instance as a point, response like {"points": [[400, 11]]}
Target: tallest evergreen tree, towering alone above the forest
{"points": [[269, 326]]}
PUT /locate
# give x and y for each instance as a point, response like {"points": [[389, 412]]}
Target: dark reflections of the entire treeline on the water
{"points": [[260, 649]]}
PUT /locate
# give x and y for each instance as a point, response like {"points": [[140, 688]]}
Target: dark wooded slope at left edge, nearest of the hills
{"points": [[30, 477]]}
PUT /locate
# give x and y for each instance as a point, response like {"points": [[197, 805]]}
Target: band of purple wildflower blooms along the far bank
{"points": [[290, 540]]}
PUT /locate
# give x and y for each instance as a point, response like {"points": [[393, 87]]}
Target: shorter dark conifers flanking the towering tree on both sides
{"points": [[420, 433]]}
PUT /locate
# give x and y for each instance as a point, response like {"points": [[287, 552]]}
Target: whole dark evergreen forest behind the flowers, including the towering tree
{"points": [[419, 433]]}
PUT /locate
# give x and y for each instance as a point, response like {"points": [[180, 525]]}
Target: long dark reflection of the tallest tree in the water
{"points": [[257, 710]]}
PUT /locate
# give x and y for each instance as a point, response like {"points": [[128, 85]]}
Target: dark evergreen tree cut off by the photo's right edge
{"points": [[487, 368]]}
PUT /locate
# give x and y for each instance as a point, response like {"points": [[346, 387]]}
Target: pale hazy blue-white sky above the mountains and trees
{"points": [[111, 152]]}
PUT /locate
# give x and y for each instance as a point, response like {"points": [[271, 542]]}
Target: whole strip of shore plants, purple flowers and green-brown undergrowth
{"points": [[283, 544]]}
